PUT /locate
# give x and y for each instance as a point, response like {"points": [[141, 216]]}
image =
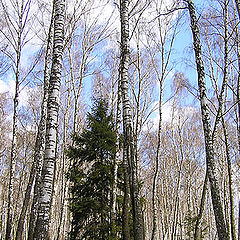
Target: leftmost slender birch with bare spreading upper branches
{"points": [[14, 34]]}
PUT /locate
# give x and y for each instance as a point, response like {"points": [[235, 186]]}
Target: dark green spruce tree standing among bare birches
{"points": [[91, 175]]}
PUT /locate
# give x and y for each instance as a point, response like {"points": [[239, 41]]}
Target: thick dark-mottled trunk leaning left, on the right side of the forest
{"points": [[210, 156]]}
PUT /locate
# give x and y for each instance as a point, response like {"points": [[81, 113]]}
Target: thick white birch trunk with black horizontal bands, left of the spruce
{"points": [[42, 225]]}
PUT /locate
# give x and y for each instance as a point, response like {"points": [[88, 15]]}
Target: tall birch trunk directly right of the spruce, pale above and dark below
{"points": [[130, 149]]}
